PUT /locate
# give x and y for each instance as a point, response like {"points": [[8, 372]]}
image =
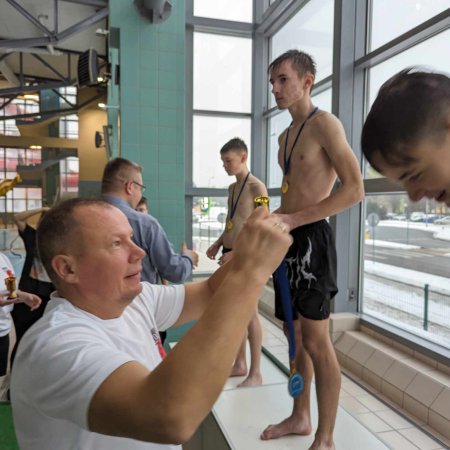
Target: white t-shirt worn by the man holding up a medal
{"points": [[65, 357]]}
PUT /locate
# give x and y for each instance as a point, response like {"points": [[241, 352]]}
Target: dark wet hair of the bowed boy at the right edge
{"points": [[411, 106]]}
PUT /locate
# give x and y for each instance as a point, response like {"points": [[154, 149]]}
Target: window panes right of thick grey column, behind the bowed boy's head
{"points": [[406, 277]]}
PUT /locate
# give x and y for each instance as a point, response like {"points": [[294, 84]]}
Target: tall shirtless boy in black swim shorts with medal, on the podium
{"points": [[313, 153]]}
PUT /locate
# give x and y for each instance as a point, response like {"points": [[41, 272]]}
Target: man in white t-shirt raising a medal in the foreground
{"points": [[90, 374]]}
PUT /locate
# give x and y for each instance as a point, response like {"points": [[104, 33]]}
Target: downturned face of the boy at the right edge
{"points": [[428, 176]]}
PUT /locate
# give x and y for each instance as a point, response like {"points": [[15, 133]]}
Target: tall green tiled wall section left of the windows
{"points": [[152, 107]]}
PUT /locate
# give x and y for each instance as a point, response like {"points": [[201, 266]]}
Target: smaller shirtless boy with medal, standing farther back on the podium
{"points": [[241, 194]]}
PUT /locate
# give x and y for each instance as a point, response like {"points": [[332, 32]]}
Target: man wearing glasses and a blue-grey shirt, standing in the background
{"points": [[122, 186]]}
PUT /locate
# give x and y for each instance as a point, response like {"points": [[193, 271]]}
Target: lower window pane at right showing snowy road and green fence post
{"points": [[406, 271]]}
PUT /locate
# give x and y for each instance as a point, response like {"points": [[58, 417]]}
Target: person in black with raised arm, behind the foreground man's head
{"points": [[34, 278]]}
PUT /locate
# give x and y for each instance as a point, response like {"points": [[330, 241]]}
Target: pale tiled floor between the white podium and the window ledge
{"points": [[377, 414]]}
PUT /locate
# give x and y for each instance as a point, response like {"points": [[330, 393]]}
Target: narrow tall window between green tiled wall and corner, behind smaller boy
{"points": [[222, 108]]}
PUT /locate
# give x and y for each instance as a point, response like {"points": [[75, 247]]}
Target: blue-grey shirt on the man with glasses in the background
{"points": [[160, 257]]}
